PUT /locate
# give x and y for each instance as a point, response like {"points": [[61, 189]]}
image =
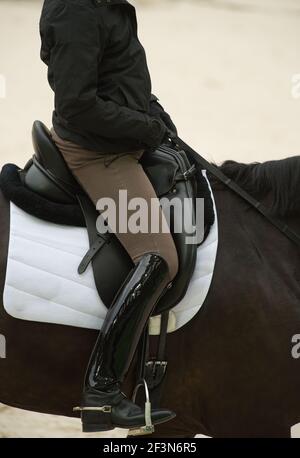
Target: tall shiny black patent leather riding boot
{"points": [[104, 406]]}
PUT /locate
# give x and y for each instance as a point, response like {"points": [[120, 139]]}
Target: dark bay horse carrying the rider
{"points": [[231, 371]]}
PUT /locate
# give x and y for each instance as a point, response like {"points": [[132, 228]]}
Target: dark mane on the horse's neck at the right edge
{"points": [[279, 179]]}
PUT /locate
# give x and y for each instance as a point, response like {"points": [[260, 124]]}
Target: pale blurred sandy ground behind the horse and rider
{"points": [[222, 68]]}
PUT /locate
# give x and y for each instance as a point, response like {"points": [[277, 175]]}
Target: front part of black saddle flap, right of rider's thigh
{"points": [[167, 169]]}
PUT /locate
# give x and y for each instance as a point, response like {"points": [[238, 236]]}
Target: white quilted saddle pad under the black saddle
{"points": [[42, 283]]}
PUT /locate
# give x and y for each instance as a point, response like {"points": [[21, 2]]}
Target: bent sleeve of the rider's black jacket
{"points": [[77, 47]]}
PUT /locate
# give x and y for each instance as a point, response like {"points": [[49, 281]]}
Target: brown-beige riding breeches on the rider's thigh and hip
{"points": [[104, 175]]}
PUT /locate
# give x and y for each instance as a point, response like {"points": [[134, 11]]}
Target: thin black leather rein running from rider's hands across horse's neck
{"points": [[262, 209]]}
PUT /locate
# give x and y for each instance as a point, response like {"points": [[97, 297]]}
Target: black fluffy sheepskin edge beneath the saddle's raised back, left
{"points": [[15, 191]]}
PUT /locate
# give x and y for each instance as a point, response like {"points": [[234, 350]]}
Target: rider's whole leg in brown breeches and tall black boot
{"points": [[156, 265]]}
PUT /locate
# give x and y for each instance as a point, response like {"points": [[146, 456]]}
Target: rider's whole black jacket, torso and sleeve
{"points": [[98, 71]]}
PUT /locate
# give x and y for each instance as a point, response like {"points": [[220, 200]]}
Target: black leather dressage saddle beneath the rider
{"points": [[170, 173]]}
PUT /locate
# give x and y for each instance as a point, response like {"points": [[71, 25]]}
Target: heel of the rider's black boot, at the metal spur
{"points": [[96, 419]]}
